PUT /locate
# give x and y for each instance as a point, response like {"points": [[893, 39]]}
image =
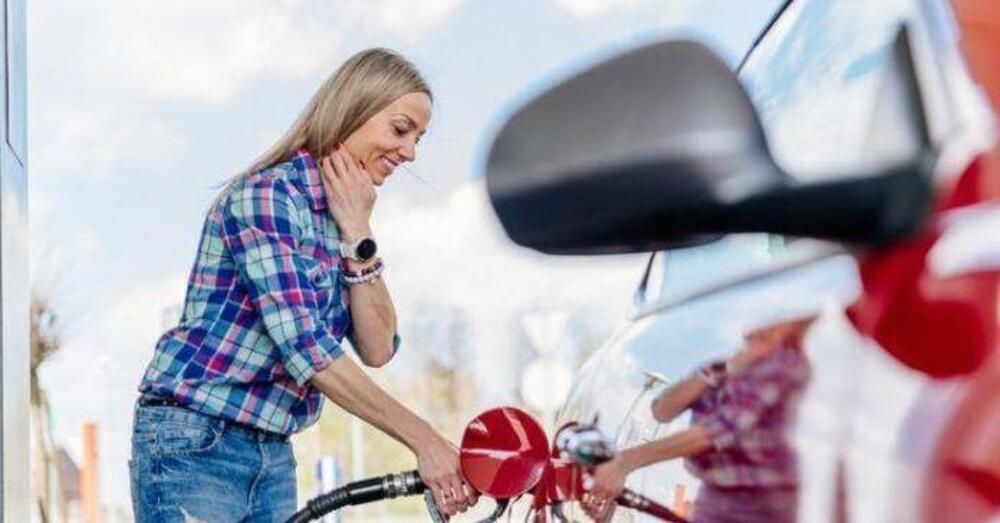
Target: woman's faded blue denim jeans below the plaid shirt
{"points": [[190, 467]]}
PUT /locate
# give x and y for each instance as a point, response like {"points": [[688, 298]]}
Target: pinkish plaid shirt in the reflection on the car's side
{"points": [[747, 418]]}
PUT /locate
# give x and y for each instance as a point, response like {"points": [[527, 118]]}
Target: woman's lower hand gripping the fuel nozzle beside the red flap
{"points": [[439, 467]]}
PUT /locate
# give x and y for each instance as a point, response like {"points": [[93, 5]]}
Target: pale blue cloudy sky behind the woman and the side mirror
{"points": [[139, 110]]}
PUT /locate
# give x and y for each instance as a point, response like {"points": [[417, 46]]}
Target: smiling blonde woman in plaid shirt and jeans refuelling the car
{"points": [[286, 268]]}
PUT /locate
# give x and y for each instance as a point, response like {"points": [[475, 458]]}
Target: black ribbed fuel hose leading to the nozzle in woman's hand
{"points": [[361, 492]]}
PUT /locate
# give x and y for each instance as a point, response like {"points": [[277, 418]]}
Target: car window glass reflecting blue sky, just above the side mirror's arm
{"points": [[815, 80]]}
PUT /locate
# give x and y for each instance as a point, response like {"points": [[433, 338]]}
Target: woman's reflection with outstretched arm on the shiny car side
{"points": [[736, 445]]}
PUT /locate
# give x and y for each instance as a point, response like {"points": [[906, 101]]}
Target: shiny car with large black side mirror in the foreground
{"points": [[834, 174]]}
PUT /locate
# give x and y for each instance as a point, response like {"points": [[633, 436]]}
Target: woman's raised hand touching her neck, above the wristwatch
{"points": [[350, 194]]}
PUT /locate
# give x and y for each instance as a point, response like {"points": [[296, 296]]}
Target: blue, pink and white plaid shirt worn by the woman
{"points": [[265, 308]]}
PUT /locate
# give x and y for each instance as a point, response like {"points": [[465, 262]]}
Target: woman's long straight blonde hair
{"points": [[361, 87]]}
